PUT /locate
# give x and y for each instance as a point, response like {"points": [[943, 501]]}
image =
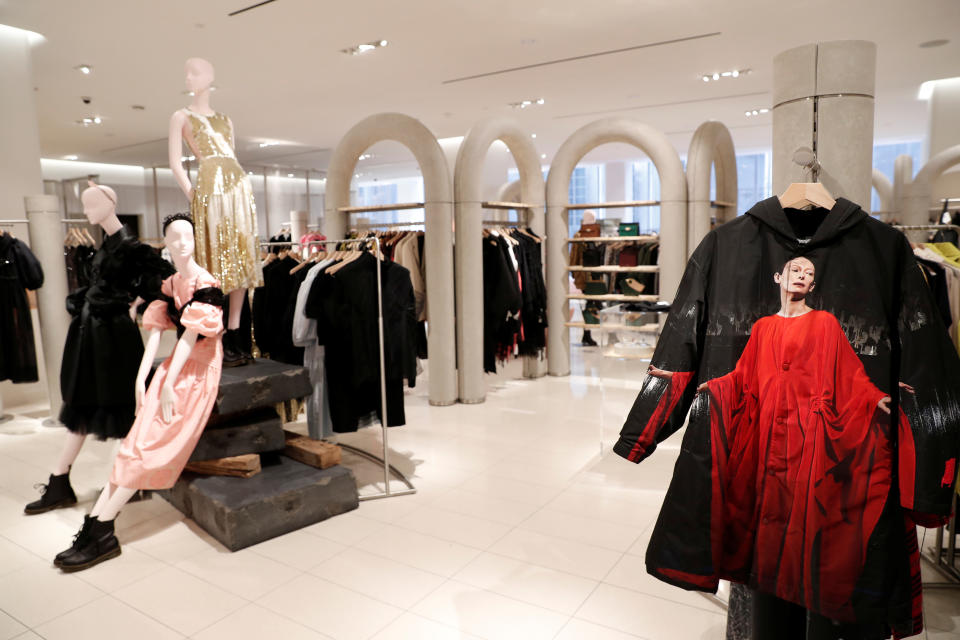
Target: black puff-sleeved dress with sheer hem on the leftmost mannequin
{"points": [[103, 348]]}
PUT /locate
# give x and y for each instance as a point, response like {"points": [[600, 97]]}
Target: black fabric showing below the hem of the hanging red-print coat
{"points": [[776, 619]]}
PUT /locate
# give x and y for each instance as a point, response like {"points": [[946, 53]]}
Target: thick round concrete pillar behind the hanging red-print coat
{"points": [[823, 99]]}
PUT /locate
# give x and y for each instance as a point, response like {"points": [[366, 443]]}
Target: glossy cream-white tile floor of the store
{"points": [[524, 526]]}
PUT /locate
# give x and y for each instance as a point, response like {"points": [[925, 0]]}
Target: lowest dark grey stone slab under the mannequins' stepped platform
{"points": [[283, 497]]}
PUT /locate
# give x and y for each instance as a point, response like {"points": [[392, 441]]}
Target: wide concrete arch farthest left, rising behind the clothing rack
{"points": [[438, 216]]}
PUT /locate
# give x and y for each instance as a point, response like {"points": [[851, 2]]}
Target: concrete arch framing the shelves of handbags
{"points": [[673, 218]]}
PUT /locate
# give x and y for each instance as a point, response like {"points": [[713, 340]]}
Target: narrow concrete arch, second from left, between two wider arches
{"points": [[469, 227]]}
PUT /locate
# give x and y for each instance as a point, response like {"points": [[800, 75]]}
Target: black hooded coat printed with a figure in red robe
{"points": [[868, 280]]}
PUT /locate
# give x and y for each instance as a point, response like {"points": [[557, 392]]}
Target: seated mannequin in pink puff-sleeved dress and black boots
{"points": [[172, 413]]}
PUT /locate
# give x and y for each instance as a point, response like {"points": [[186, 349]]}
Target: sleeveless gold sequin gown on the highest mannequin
{"points": [[224, 213]]}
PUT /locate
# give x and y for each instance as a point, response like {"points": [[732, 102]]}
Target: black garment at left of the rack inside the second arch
{"points": [[502, 302]]}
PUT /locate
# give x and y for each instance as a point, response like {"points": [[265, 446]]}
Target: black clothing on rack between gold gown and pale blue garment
{"points": [[272, 324]]}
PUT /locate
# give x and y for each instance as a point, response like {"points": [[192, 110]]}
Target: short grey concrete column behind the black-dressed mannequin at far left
{"points": [[46, 232]]}
